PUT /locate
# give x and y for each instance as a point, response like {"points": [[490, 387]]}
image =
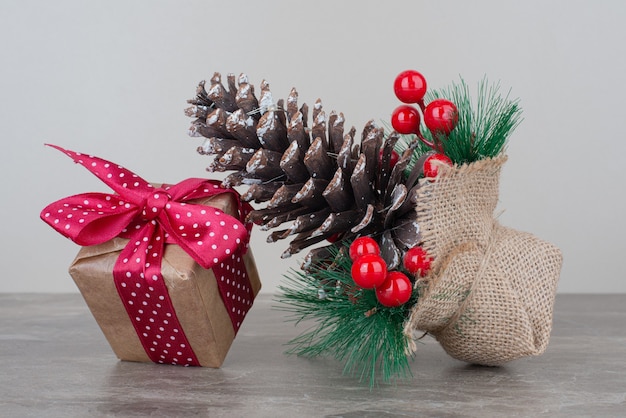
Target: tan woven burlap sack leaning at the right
{"points": [[489, 297]]}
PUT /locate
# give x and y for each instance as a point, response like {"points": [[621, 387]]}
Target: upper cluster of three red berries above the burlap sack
{"points": [[440, 115]]}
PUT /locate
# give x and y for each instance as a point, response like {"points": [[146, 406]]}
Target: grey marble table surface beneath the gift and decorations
{"points": [[54, 362]]}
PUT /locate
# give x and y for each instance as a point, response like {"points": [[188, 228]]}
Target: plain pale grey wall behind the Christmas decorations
{"points": [[111, 78]]}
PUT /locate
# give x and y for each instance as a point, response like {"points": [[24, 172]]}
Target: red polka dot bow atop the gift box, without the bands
{"points": [[206, 234]]}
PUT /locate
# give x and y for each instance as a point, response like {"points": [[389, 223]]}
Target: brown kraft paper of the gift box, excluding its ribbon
{"points": [[192, 289]]}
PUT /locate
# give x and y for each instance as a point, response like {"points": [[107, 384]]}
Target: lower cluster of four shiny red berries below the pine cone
{"points": [[369, 271]]}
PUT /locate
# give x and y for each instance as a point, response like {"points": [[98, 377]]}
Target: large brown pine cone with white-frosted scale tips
{"points": [[318, 179]]}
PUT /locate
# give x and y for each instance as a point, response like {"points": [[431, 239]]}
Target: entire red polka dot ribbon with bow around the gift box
{"points": [[150, 217]]}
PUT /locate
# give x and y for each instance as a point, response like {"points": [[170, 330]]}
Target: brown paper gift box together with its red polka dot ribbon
{"points": [[166, 271]]}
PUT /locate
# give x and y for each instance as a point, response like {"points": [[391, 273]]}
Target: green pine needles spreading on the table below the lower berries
{"points": [[348, 323]]}
